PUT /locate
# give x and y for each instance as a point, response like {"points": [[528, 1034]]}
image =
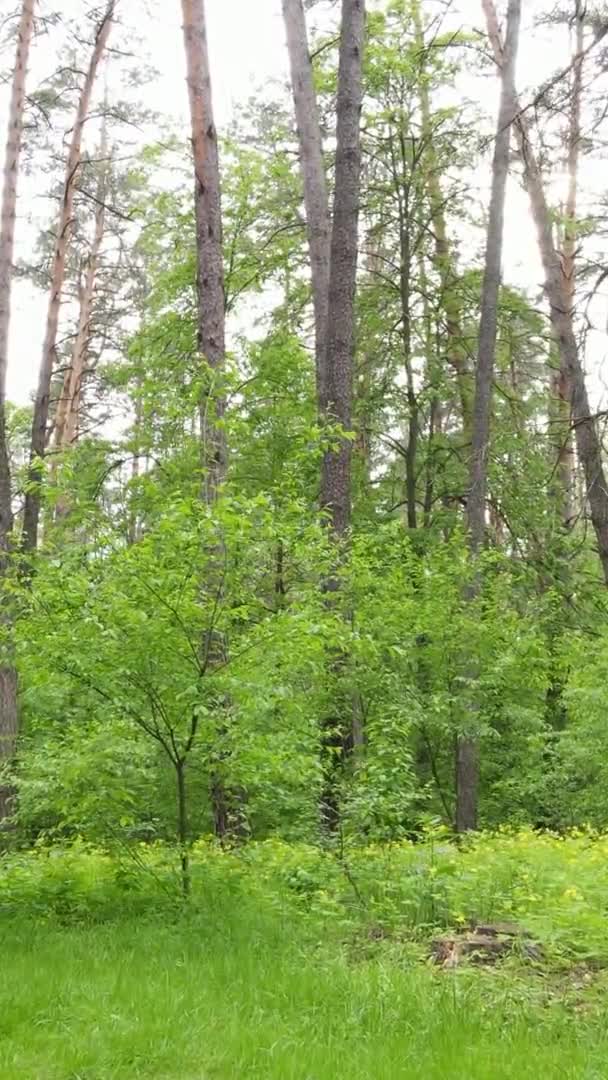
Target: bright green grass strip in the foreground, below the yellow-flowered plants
{"points": [[225, 997]]}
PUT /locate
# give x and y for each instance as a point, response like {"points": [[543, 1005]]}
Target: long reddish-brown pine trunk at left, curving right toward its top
{"points": [[33, 502]]}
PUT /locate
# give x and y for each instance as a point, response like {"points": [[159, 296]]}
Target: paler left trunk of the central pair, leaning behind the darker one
{"points": [[317, 201]]}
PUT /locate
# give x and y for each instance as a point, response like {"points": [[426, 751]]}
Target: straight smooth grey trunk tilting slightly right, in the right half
{"points": [[467, 759]]}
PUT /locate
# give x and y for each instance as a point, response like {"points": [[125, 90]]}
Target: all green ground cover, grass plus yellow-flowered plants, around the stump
{"points": [[282, 971]]}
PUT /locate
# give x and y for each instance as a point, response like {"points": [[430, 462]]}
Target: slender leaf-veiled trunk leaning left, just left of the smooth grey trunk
{"points": [[444, 261]]}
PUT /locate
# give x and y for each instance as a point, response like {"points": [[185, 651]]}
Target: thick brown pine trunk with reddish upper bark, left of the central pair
{"points": [[212, 344]]}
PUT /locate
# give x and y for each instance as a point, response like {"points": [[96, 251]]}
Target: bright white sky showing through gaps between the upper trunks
{"points": [[248, 52]]}
